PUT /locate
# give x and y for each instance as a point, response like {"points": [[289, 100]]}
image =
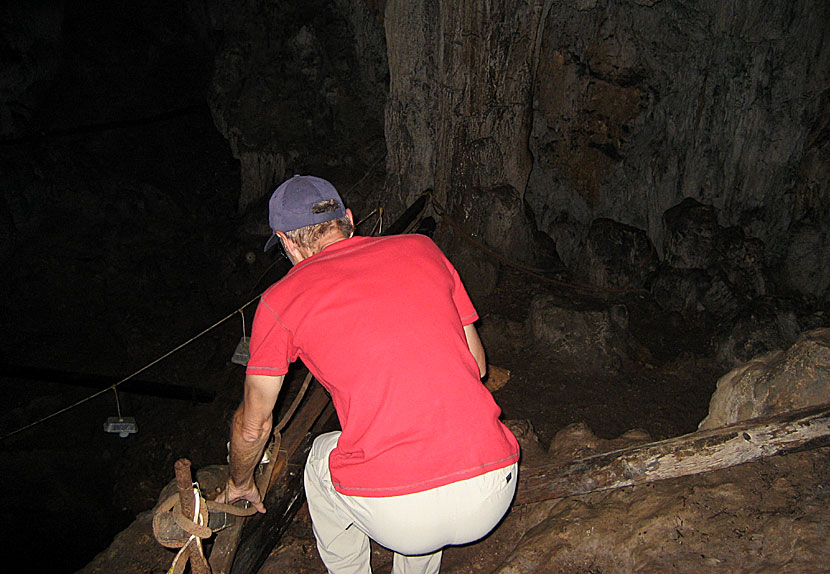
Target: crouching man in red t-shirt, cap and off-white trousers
{"points": [[386, 326]]}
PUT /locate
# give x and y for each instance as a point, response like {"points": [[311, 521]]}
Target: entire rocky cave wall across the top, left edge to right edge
{"points": [[519, 115]]}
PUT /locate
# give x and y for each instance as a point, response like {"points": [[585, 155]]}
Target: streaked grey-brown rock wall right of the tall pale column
{"points": [[640, 104]]}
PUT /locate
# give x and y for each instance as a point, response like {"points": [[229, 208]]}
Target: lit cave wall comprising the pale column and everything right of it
{"points": [[619, 109]]}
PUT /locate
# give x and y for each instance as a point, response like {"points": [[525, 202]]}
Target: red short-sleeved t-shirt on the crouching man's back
{"points": [[379, 321]]}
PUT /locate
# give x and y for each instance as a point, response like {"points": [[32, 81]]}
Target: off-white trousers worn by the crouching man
{"points": [[415, 526]]}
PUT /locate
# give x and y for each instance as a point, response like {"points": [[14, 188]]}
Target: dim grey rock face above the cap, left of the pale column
{"points": [[297, 84]]}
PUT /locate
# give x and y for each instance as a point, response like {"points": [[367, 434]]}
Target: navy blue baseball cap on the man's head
{"points": [[301, 201]]}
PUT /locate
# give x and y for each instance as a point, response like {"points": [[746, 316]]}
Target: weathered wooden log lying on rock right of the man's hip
{"points": [[690, 454]]}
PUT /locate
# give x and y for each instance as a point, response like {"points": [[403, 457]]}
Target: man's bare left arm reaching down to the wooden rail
{"points": [[250, 431]]}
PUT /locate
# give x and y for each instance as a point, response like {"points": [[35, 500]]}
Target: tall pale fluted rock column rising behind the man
{"points": [[458, 115]]}
